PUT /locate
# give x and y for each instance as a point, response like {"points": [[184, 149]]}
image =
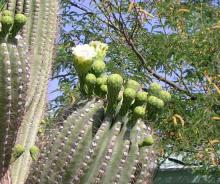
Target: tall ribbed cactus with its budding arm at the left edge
{"points": [[28, 30]]}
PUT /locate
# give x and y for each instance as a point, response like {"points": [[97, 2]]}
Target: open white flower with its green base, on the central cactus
{"points": [[83, 58]]}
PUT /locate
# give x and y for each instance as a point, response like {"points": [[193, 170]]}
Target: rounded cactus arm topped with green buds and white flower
{"points": [[104, 139]]}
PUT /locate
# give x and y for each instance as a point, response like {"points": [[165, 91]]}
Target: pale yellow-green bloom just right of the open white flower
{"points": [[100, 48]]}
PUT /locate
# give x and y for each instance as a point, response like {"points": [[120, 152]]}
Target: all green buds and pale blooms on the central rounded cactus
{"points": [[128, 100]]}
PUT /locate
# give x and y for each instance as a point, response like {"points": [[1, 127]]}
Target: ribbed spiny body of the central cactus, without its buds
{"points": [[77, 154]]}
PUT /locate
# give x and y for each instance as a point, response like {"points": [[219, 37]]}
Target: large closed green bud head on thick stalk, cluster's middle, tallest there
{"points": [[114, 83]]}
